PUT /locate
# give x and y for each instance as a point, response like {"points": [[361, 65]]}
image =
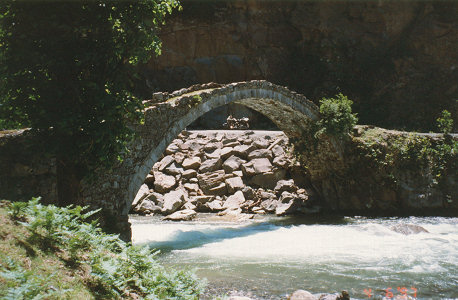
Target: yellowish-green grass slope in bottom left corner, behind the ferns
{"points": [[53, 277]]}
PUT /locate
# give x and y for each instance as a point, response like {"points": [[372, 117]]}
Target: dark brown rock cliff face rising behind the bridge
{"points": [[396, 59]]}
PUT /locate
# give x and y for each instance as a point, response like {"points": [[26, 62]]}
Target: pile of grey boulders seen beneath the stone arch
{"points": [[232, 173]]}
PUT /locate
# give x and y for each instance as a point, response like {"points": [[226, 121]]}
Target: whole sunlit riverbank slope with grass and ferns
{"points": [[48, 252]]}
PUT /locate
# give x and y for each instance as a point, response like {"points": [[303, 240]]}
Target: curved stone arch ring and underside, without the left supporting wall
{"points": [[288, 110]]}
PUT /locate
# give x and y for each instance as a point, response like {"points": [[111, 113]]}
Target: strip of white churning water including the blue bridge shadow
{"points": [[364, 242]]}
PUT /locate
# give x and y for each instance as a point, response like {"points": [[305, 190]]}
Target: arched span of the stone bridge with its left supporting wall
{"points": [[167, 115]]}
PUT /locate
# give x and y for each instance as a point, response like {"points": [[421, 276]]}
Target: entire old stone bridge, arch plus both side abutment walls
{"points": [[166, 115]]}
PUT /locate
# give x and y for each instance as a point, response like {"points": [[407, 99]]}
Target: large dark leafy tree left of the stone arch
{"points": [[67, 70]]}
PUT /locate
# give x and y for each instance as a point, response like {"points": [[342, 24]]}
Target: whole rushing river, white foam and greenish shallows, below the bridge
{"points": [[271, 257]]}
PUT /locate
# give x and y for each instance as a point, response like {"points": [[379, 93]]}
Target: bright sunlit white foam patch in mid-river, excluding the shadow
{"points": [[315, 243]]}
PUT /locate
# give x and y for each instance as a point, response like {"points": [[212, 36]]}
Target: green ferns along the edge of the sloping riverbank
{"points": [[118, 269]]}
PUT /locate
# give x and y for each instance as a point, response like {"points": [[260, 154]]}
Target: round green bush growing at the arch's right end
{"points": [[336, 115]]}
